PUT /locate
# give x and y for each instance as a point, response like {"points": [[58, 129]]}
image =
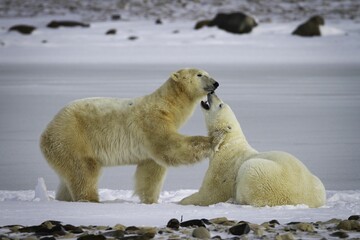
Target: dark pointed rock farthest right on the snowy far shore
{"points": [[310, 28]]}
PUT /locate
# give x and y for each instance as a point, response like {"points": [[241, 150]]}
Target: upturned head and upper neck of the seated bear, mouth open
{"points": [[220, 118]]}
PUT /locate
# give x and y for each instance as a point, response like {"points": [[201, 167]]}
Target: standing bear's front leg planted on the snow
{"points": [[149, 178]]}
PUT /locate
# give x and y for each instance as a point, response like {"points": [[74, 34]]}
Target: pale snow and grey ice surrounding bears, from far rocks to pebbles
{"points": [[300, 95]]}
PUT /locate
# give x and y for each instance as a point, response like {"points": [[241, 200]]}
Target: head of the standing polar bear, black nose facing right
{"points": [[195, 83]]}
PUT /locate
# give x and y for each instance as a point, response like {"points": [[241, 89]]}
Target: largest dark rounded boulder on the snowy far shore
{"points": [[236, 22]]}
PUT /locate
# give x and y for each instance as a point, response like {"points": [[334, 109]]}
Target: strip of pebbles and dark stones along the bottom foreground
{"points": [[217, 228]]}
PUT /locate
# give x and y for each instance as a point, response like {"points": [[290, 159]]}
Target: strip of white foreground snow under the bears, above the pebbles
{"points": [[119, 206]]}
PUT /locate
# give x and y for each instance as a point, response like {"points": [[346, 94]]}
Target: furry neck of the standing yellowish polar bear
{"points": [[176, 101]]}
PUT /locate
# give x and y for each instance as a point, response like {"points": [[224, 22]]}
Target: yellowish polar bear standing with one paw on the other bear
{"points": [[92, 133]]}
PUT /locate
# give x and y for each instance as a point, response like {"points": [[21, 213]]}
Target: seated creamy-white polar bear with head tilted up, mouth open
{"points": [[240, 172]]}
